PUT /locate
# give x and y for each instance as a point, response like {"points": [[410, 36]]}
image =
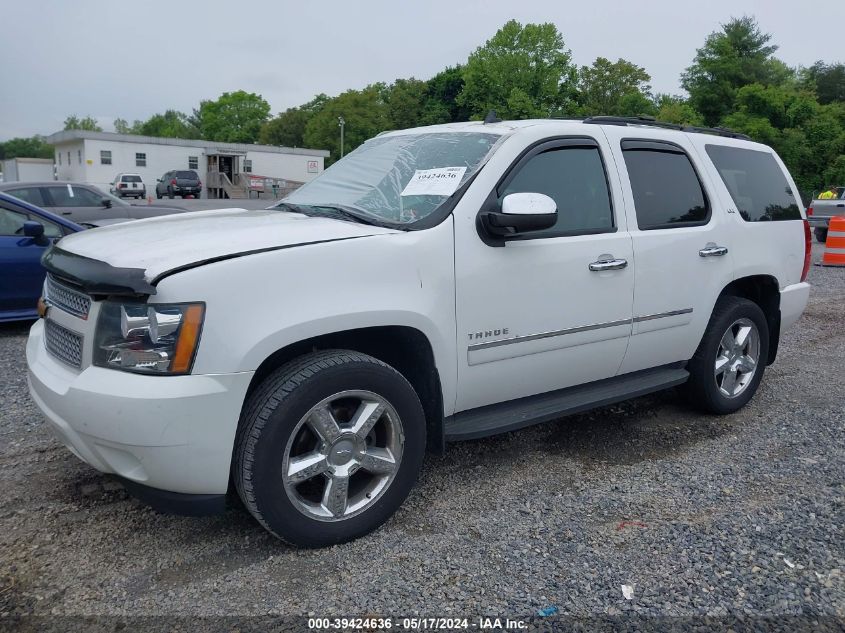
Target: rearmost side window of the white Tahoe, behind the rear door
{"points": [[756, 183]]}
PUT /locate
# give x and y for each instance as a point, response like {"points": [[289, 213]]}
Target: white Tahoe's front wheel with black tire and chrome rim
{"points": [[328, 447]]}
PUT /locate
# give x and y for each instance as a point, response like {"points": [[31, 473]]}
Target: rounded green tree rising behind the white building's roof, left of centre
{"points": [[235, 117]]}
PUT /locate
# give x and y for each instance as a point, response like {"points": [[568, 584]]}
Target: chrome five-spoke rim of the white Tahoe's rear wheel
{"points": [[737, 357]]}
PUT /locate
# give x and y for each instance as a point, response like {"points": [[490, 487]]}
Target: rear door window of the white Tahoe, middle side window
{"points": [[667, 191]]}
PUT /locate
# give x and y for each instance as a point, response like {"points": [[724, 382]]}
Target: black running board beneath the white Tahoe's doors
{"points": [[517, 414]]}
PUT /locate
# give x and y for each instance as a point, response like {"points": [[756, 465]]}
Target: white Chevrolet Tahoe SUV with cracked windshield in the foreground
{"points": [[437, 284]]}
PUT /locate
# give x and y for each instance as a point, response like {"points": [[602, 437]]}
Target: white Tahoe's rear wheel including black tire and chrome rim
{"points": [[728, 366]]}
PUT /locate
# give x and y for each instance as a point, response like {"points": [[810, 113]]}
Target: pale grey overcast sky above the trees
{"points": [[110, 59]]}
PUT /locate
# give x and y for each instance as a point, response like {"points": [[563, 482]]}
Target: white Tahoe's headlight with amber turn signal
{"points": [[148, 338]]}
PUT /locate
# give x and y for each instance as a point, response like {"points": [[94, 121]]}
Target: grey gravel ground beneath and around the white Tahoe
{"points": [[701, 515]]}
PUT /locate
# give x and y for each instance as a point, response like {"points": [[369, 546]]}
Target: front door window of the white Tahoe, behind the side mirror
{"points": [[574, 178]]}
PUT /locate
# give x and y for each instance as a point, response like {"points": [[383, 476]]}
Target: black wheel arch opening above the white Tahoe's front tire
{"points": [[404, 348]]}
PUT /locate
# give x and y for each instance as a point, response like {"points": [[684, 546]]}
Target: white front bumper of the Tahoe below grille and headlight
{"points": [[173, 433]]}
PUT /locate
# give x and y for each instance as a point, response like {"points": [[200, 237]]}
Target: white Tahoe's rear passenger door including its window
{"points": [[681, 240]]}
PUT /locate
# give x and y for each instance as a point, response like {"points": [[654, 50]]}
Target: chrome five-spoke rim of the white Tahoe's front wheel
{"points": [[342, 455]]}
